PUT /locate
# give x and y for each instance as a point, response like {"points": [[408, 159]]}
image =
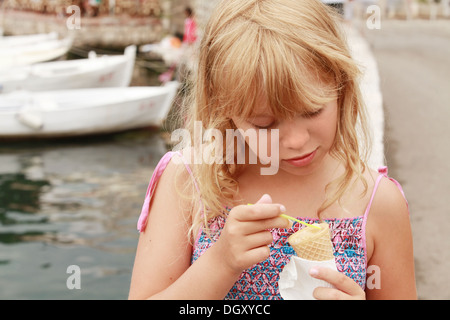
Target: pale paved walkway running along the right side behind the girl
{"points": [[413, 61]]}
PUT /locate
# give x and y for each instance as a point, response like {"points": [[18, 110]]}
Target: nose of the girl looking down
{"points": [[294, 134]]}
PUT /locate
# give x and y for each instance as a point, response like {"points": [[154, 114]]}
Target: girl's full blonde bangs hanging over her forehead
{"points": [[280, 74]]}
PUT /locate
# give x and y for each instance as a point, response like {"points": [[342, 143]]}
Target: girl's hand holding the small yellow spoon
{"points": [[245, 238]]}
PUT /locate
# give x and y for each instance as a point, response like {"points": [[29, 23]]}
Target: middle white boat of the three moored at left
{"points": [[94, 72]]}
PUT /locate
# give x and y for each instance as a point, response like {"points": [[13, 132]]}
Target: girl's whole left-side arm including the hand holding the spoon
{"points": [[162, 268]]}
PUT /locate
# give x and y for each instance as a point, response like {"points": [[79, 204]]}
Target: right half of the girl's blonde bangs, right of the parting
{"points": [[293, 79]]}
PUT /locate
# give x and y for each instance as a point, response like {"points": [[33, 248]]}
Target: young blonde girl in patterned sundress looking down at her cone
{"points": [[273, 66]]}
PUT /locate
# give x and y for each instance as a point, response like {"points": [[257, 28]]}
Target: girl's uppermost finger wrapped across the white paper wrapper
{"points": [[339, 280]]}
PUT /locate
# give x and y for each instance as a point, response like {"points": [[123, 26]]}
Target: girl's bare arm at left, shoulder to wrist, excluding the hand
{"points": [[162, 264]]}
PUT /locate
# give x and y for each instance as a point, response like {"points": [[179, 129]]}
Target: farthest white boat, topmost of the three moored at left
{"points": [[25, 54]]}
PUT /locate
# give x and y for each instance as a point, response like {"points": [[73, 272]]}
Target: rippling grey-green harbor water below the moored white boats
{"points": [[75, 203]]}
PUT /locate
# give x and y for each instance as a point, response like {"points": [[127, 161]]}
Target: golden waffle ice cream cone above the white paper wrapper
{"points": [[313, 244]]}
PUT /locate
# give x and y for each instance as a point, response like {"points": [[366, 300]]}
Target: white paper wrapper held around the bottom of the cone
{"points": [[295, 282]]}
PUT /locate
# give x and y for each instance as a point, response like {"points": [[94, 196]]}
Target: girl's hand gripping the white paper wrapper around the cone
{"points": [[344, 287]]}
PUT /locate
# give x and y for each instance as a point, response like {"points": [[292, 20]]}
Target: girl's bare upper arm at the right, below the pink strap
{"points": [[388, 226]]}
